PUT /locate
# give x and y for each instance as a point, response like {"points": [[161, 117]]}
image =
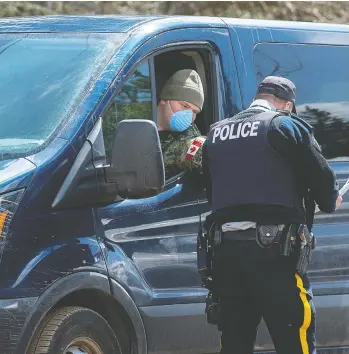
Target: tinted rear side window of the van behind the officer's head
{"points": [[322, 88]]}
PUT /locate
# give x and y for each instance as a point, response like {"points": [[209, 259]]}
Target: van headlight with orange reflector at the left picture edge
{"points": [[8, 205]]}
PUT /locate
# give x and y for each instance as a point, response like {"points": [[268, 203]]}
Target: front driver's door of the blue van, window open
{"points": [[151, 243]]}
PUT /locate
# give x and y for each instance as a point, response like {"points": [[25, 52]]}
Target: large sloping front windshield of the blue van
{"points": [[42, 78]]}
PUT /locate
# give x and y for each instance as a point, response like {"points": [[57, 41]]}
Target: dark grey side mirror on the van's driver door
{"points": [[136, 164]]}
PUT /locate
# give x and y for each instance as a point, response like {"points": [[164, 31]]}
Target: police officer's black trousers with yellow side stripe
{"points": [[254, 283]]}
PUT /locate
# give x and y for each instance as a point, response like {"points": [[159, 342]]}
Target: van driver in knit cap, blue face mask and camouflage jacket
{"points": [[181, 99]]}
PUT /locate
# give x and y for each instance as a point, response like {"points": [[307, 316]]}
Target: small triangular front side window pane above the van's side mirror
{"points": [[134, 101]]}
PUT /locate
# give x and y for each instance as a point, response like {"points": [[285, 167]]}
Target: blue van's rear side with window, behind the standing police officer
{"points": [[316, 61]]}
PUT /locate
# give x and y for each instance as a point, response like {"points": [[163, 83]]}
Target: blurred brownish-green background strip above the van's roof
{"points": [[313, 11]]}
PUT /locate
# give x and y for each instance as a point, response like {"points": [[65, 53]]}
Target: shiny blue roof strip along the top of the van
{"points": [[124, 24]]}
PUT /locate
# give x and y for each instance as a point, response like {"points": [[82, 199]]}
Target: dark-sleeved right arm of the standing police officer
{"points": [[297, 145]]}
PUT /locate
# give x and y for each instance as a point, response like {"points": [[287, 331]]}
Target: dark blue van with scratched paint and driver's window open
{"points": [[97, 246]]}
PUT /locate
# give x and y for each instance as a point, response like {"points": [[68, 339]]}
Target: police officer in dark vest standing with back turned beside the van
{"points": [[260, 167]]}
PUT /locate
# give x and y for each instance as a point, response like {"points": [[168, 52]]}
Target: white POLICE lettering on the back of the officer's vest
{"points": [[236, 131]]}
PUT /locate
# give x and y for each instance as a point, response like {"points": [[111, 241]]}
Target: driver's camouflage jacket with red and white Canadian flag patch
{"points": [[182, 151]]}
